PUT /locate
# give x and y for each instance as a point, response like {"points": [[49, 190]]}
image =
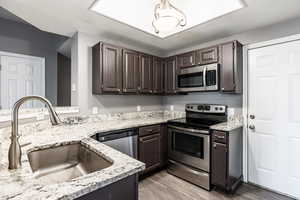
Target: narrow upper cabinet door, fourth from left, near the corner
{"points": [[158, 76]]}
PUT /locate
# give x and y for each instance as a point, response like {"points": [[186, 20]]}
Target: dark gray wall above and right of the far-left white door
{"points": [[25, 39]]}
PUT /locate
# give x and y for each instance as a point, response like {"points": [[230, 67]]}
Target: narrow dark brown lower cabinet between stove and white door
{"points": [[226, 159]]}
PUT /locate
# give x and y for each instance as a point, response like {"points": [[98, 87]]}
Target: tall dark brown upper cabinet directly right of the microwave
{"points": [[231, 69]]}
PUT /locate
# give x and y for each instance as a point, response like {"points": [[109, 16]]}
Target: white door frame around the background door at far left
{"points": [[41, 59]]}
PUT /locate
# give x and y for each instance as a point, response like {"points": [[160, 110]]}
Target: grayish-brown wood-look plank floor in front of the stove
{"points": [[163, 186]]}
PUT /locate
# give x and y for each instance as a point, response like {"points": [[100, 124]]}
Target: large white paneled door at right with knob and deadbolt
{"points": [[274, 101]]}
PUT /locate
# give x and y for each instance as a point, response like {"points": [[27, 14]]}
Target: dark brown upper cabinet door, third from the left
{"points": [[146, 73]]}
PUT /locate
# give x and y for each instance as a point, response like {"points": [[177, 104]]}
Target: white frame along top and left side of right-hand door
{"points": [[246, 95]]}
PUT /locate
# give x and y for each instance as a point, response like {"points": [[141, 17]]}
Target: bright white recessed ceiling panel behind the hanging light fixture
{"points": [[140, 13]]}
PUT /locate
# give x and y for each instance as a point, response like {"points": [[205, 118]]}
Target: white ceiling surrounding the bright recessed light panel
{"points": [[66, 17]]}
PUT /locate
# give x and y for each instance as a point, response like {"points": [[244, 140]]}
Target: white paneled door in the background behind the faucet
{"points": [[21, 76]]}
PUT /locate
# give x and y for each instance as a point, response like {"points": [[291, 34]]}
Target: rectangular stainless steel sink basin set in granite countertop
{"points": [[66, 162]]}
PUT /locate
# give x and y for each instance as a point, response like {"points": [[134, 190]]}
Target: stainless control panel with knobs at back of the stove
{"points": [[206, 108]]}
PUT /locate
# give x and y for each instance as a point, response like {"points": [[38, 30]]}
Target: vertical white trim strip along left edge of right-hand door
{"points": [[245, 113]]}
